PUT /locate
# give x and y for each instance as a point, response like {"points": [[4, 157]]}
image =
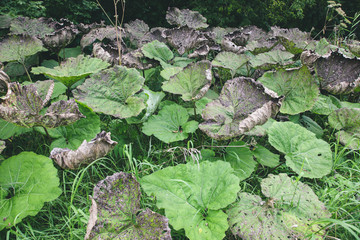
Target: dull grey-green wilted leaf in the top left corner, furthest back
{"points": [[31, 27]]}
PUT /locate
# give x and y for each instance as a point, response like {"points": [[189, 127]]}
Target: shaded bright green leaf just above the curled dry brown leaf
{"points": [[73, 135]]}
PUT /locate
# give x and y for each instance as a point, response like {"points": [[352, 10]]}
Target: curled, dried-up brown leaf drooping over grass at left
{"points": [[85, 154]]}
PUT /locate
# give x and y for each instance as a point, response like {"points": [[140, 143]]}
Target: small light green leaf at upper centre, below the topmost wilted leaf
{"points": [[158, 51]]}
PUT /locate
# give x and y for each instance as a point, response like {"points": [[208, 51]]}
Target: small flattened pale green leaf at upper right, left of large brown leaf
{"points": [[272, 59]]}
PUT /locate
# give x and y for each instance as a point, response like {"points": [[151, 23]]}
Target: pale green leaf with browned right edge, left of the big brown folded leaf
{"points": [[192, 82]]}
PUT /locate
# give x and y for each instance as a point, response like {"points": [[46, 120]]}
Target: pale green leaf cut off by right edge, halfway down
{"points": [[347, 120]]}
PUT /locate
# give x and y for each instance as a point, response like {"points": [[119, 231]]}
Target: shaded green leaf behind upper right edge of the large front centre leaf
{"points": [[241, 159]]}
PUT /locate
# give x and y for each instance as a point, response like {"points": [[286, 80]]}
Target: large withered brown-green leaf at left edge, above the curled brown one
{"points": [[24, 106]]}
